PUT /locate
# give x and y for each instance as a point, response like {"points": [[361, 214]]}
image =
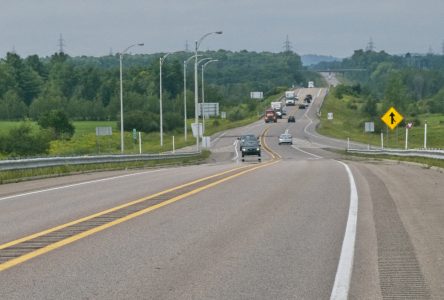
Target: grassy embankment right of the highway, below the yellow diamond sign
{"points": [[348, 122]]}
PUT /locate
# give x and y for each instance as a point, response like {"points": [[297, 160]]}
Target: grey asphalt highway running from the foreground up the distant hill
{"points": [[305, 223]]}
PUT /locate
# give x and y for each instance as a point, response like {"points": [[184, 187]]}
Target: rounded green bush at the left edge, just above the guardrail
{"points": [[22, 141]]}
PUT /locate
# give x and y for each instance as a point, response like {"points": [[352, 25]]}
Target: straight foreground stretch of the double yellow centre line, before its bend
{"points": [[79, 236]]}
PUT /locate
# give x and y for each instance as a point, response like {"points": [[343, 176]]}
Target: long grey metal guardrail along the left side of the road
{"points": [[79, 160]]}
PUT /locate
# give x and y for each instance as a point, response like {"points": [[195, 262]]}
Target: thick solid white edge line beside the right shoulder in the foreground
{"points": [[343, 274]]}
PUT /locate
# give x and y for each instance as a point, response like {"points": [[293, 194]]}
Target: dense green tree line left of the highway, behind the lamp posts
{"points": [[87, 88]]}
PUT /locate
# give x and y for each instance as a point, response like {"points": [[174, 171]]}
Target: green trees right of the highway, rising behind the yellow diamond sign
{"points": [[412, 83]]}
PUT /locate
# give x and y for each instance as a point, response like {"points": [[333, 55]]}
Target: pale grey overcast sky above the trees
{"points": [[327, 27]]}
